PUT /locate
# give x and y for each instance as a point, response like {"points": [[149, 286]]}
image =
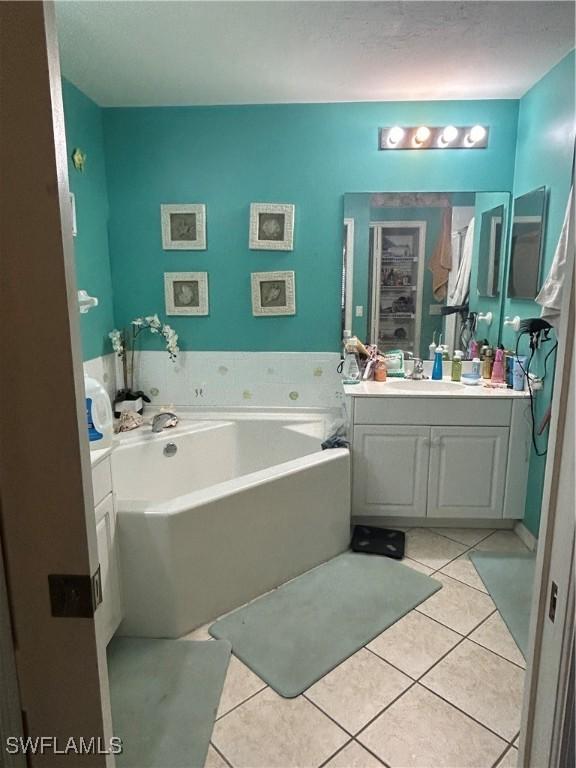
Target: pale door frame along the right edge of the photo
{"points": [[551, 642]]}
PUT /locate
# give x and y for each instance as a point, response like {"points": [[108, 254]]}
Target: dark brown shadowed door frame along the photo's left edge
{"points": [[47, 522]]}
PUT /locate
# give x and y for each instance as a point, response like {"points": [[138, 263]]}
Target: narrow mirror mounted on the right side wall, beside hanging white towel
{"points": [[526, 244]]}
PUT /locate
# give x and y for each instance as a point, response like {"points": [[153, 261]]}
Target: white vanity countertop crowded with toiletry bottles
{"points": [[428, 388]]}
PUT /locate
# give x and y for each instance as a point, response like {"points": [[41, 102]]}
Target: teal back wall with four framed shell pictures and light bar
{"points": [[309, 155]]}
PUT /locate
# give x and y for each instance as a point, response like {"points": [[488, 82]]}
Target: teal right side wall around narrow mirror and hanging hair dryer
{"points": [[544, 154]]}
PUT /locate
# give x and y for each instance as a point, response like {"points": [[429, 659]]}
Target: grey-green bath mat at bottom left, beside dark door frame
{"points": [[164, 695]]}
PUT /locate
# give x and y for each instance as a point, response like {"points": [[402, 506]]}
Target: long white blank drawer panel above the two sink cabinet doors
{"points": [[432, 411]]}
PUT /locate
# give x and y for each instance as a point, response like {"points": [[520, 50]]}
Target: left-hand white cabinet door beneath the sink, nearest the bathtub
{"points": [[390, 470]]}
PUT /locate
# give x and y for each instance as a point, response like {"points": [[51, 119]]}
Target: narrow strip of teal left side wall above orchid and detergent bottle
{"points": [[84, 129]]}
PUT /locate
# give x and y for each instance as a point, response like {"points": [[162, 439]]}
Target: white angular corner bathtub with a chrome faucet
{"points": [[245, 504]]}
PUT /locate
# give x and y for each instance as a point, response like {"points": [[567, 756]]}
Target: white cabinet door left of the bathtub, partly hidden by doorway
{"points": [[109, 613]]}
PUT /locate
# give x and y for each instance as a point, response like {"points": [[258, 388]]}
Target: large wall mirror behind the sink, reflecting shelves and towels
{"points": [[405, 260]]}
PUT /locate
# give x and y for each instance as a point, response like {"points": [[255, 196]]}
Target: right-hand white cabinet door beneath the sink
{"points": [[467, 472]]}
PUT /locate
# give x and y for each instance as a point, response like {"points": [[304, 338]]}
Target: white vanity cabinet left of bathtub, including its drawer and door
{"points": [[109, 613]]}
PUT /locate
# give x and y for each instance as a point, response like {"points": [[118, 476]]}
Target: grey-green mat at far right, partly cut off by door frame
{"points": [[509, 578]]}
